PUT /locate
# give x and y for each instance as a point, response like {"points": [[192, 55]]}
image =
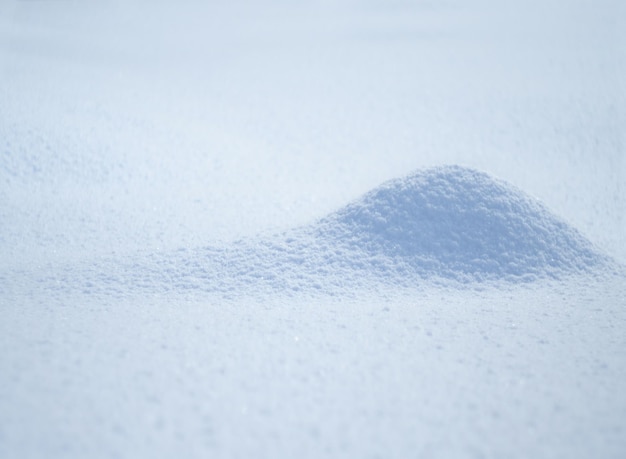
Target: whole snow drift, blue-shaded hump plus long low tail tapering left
{"points": [[448, 224]]}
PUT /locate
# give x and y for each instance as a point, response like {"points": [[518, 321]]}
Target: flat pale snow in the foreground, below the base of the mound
{"points": [[522, 371]]}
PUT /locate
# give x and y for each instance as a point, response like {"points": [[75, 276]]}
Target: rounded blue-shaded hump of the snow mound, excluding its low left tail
{"points": [[453, 221]]}
